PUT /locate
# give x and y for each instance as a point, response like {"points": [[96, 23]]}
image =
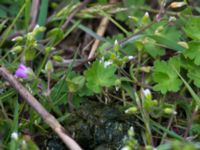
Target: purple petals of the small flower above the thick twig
{"points": [[22, 71]]}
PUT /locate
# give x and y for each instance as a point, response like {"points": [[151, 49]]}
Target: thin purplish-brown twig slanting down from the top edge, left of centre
{"points": [[77, 9]]}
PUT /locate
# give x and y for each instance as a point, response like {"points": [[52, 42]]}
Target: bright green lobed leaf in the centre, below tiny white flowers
{"points": [[98, 76]]}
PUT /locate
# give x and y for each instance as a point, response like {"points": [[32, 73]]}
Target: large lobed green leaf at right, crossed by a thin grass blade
{"points": [[165, 76]]}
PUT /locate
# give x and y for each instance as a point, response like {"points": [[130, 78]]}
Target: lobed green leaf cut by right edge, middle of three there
{"points": [[193, 52]]}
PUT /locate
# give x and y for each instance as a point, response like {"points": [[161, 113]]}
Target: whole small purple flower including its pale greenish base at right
{"points": [[24, 72]]}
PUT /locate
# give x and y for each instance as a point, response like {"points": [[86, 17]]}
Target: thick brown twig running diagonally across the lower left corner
{"points": [[32, 101]]}
